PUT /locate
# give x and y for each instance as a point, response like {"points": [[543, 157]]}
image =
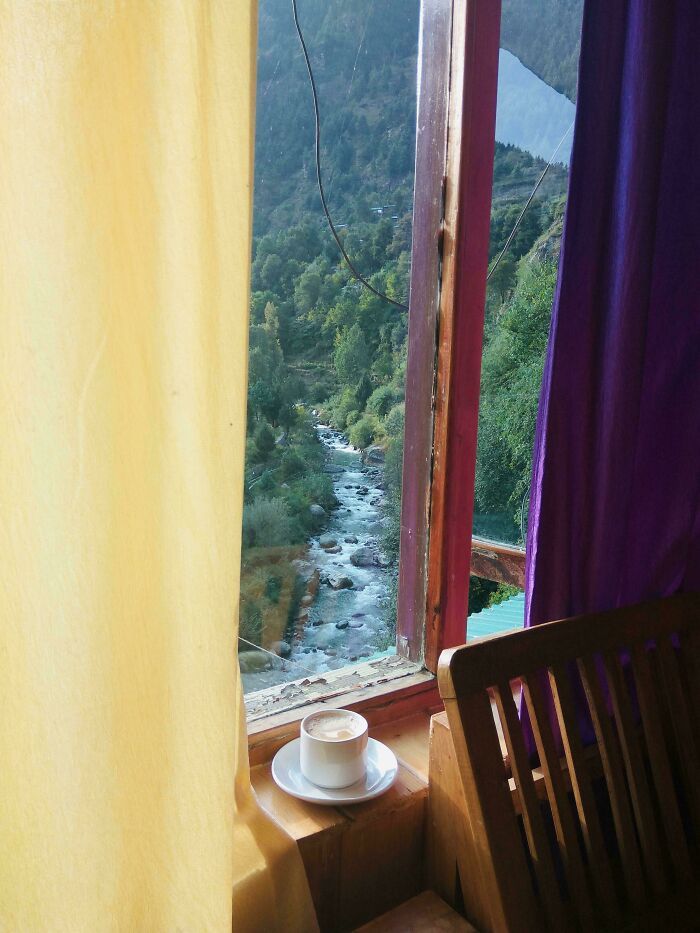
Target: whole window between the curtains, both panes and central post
{"points": [[332, 367]]}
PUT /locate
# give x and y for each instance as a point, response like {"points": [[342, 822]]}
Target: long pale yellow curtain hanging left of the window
{"points": [[126, 135]]}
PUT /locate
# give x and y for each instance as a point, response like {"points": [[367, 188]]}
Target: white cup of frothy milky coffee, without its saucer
{"points": [[333, 748]]}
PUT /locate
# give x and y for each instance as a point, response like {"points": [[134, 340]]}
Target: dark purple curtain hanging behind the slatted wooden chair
{"points": [[615, 502]]}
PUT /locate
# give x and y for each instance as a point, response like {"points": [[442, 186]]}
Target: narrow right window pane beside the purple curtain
{"points": [[534, 133]]}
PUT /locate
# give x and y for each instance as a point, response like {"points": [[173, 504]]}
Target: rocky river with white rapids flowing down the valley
{"points": [[342, 618]]}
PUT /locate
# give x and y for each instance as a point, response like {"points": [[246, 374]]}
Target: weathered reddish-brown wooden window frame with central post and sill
{"points": [[455, 145]]}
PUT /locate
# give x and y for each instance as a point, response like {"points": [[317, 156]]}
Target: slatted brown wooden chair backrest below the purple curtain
{"points": [[604, 833]]}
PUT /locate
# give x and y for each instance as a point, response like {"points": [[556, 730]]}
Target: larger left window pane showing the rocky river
{"points": [[327, 359]]}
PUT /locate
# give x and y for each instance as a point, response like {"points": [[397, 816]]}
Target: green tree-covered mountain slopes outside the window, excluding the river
{"points": [[320, 341]]}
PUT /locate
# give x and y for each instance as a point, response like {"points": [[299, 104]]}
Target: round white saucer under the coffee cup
{"points": [[382, 769]]}
